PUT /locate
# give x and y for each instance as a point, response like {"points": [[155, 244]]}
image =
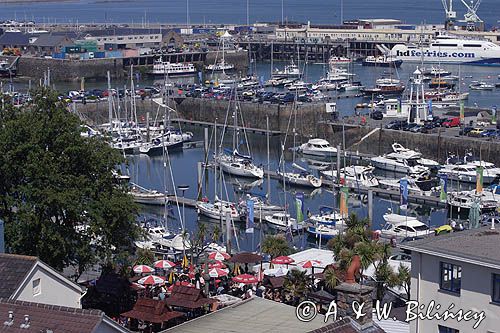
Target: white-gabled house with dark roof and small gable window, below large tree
{"points": [[26, 278]]}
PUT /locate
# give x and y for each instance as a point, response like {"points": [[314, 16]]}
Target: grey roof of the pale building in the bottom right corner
{"points": [[479, 245]]}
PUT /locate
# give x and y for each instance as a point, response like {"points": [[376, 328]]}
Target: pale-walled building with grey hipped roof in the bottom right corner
{"points": [[461, 268]]}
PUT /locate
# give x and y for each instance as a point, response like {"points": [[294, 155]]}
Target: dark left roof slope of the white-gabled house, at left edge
{"points": [[13, 270]]}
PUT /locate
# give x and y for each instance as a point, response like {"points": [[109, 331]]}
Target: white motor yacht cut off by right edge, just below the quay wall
{"points": [[467, 172]]}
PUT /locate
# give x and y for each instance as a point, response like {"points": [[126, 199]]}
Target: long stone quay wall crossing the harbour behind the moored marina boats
{"points": [[311, 121]]}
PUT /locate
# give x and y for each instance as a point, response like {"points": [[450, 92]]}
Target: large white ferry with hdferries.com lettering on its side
{"points": [[450, 50]]}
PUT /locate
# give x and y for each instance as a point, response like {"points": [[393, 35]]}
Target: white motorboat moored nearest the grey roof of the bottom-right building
{"points": [[401, 226]]}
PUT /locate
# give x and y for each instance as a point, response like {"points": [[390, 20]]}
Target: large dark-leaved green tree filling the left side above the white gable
{"points": [[58, 196]]}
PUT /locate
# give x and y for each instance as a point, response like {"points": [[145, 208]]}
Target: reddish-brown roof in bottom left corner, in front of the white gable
{"points": [[44, 317]]}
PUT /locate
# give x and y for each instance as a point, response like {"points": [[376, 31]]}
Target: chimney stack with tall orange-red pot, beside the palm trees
{"points": [[351, 291]]}
